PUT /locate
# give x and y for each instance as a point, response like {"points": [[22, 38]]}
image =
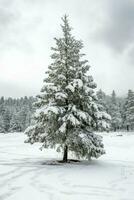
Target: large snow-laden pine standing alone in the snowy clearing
{"points": [[67, 110]]}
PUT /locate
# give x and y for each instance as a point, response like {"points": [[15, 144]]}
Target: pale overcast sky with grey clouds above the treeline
{"points": [[27, 29]]}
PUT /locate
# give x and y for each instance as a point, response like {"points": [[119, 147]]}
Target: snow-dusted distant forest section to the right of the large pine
{"points": [[120, 109]]}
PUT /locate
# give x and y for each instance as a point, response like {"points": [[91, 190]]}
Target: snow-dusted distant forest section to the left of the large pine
{"points": [[15, 114]]}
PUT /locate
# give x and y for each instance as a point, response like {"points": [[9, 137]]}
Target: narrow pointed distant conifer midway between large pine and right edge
{"points": [[114, 111]]}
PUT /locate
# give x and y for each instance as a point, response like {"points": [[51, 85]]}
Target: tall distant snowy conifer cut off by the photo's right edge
{"points": [[128, 116]]}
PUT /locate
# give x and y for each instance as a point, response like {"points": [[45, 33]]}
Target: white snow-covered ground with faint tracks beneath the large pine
{"points": [[25, 174]]}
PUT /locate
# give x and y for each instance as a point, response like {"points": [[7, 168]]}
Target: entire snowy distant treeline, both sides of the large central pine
{"points": [[16, 114]]}
